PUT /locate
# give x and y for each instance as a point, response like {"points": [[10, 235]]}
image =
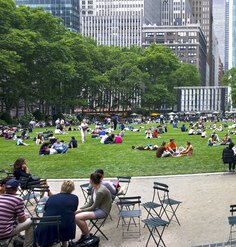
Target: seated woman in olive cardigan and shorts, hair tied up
{"points": [[98, 207]]}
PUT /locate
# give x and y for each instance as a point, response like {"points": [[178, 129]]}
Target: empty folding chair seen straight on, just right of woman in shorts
{"points": [[130, 210]]}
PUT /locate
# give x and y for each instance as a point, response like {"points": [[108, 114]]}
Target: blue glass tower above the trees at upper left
{"points": [[67, 10]]}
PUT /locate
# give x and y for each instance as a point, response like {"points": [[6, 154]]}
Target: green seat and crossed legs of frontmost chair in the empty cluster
{"points": [[153, 225]]}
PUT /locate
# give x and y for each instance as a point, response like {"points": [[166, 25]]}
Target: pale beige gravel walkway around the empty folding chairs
{"points": [[203, 213]]}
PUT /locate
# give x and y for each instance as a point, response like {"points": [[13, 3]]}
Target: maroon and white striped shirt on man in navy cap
{"points": [[11, 207]]}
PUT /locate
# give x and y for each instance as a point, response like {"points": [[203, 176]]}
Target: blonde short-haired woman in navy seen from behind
{"points": [[65, 205]]}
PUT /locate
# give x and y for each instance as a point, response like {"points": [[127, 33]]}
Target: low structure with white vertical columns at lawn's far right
{"points": [[203, 99]]}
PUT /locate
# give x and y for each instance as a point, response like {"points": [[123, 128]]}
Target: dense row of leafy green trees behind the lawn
{"points": [[45, 66]]}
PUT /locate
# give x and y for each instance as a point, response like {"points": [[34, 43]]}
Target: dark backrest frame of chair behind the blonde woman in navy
{"points": [[47, 221]]}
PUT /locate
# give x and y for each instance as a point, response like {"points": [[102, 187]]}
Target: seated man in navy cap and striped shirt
{"points": [[12, 211]]}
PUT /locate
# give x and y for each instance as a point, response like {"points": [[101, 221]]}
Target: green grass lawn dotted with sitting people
{"points": [[117, 159]]}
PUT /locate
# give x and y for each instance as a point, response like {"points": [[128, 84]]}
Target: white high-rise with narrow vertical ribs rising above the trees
{"points": [[119, 23]]}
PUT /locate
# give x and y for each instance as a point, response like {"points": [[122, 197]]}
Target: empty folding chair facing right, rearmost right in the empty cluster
{"points": [[168, 206]]}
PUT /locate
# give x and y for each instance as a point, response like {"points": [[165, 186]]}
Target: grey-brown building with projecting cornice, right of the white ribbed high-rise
{"points": [[187, 42]]}
